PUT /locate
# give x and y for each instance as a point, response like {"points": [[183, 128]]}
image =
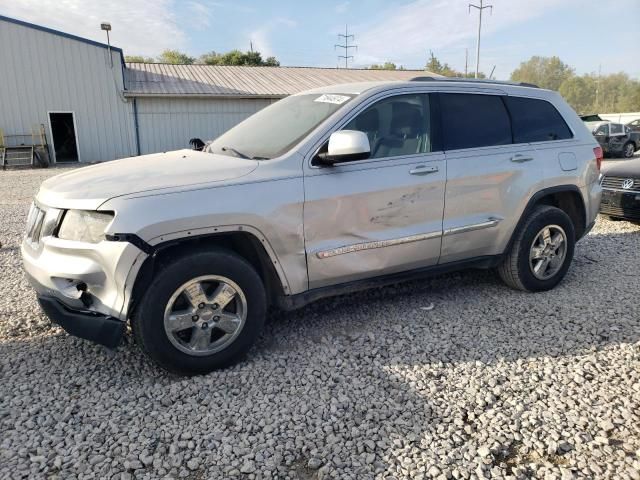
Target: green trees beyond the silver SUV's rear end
{"points": [[585, 93]]}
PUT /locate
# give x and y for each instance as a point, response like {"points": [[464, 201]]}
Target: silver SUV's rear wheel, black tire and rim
{"points": [[517, 269]]}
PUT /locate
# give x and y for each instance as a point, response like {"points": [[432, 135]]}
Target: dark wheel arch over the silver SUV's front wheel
{"points": [[247, 244]]}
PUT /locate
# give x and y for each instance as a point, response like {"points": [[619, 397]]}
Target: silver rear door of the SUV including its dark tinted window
{"points": [[489, 178]]}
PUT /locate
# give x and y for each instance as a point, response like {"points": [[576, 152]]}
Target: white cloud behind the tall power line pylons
{"points": [[406, 33]]}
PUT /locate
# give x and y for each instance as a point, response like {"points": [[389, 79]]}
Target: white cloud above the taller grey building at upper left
{"points": [[140, 27]]}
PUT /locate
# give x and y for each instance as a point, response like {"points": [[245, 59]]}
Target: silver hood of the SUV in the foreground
{"points": [[89, 187]]}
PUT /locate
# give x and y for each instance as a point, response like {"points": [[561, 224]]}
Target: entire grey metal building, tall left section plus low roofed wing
{"points": [[91, 106]]}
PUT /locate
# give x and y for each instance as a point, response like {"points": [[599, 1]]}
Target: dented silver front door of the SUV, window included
{"points": [[381, 215]]}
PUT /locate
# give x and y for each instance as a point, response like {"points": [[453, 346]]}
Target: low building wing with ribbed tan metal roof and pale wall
{"points": [[177, 102]]}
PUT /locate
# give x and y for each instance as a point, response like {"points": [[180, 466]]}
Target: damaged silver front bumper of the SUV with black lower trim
{"points": [[81, 286]]}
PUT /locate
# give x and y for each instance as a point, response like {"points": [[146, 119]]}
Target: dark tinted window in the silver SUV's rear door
{"points": [[473, 120]]}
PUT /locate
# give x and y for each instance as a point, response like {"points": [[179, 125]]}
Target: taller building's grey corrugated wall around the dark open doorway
{"points": [[42, 72]]}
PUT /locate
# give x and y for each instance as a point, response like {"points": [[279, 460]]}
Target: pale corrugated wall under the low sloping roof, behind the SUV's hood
{"points": [[168, 123]]}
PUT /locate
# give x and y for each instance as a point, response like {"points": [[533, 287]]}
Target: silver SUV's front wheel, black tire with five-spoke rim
{"points": [[161, 323]]}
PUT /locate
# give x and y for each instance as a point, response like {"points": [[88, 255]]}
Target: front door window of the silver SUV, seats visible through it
{"points": [[396, 126]]}
